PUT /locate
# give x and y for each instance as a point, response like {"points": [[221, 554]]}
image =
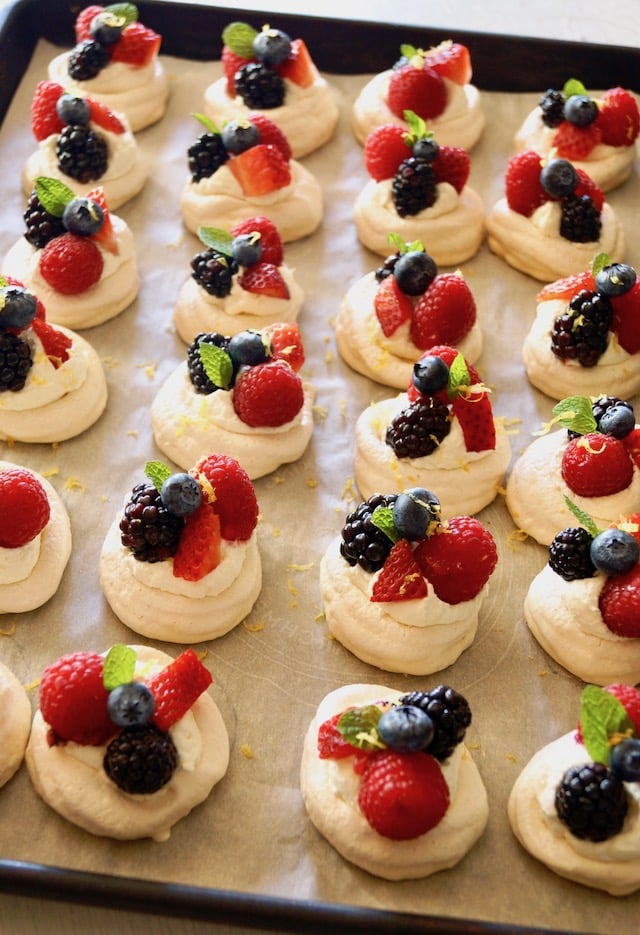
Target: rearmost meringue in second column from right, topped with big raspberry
{"points": [[434, 83]]}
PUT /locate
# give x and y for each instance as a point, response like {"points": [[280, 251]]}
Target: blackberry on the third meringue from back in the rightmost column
{"points": [[582, 332]]}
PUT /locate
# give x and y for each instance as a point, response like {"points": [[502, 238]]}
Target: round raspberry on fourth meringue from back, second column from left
{"points": [[268, 394]]}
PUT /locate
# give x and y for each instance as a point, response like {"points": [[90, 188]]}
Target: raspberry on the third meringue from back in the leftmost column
{"points": [[71, 264]]}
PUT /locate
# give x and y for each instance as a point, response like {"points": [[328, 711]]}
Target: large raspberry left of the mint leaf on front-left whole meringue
{"points": [[73, 699]]}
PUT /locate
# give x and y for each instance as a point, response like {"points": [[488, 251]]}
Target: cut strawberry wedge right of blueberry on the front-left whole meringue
{"points": [[177, 687]]}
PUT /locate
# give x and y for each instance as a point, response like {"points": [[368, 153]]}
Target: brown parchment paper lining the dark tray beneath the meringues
{"points": [[252, 836]]}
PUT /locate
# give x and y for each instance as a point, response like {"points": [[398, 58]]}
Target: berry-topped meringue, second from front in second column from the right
{"points": [[402, 587]]}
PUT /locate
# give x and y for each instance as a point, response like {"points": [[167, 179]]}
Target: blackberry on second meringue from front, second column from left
{"points": [[148, 529]]}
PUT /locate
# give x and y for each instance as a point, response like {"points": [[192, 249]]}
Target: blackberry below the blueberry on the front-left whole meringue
{"points": [[140, 760]]}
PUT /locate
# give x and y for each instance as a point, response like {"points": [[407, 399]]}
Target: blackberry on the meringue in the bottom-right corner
{"points": [[591, 802]]}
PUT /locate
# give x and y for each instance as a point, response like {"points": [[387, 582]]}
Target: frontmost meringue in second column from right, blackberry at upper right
{"points": [[386, 778]]}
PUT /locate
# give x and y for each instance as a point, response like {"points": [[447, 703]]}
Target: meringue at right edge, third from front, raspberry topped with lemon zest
{"points": [[592, 463]]}
